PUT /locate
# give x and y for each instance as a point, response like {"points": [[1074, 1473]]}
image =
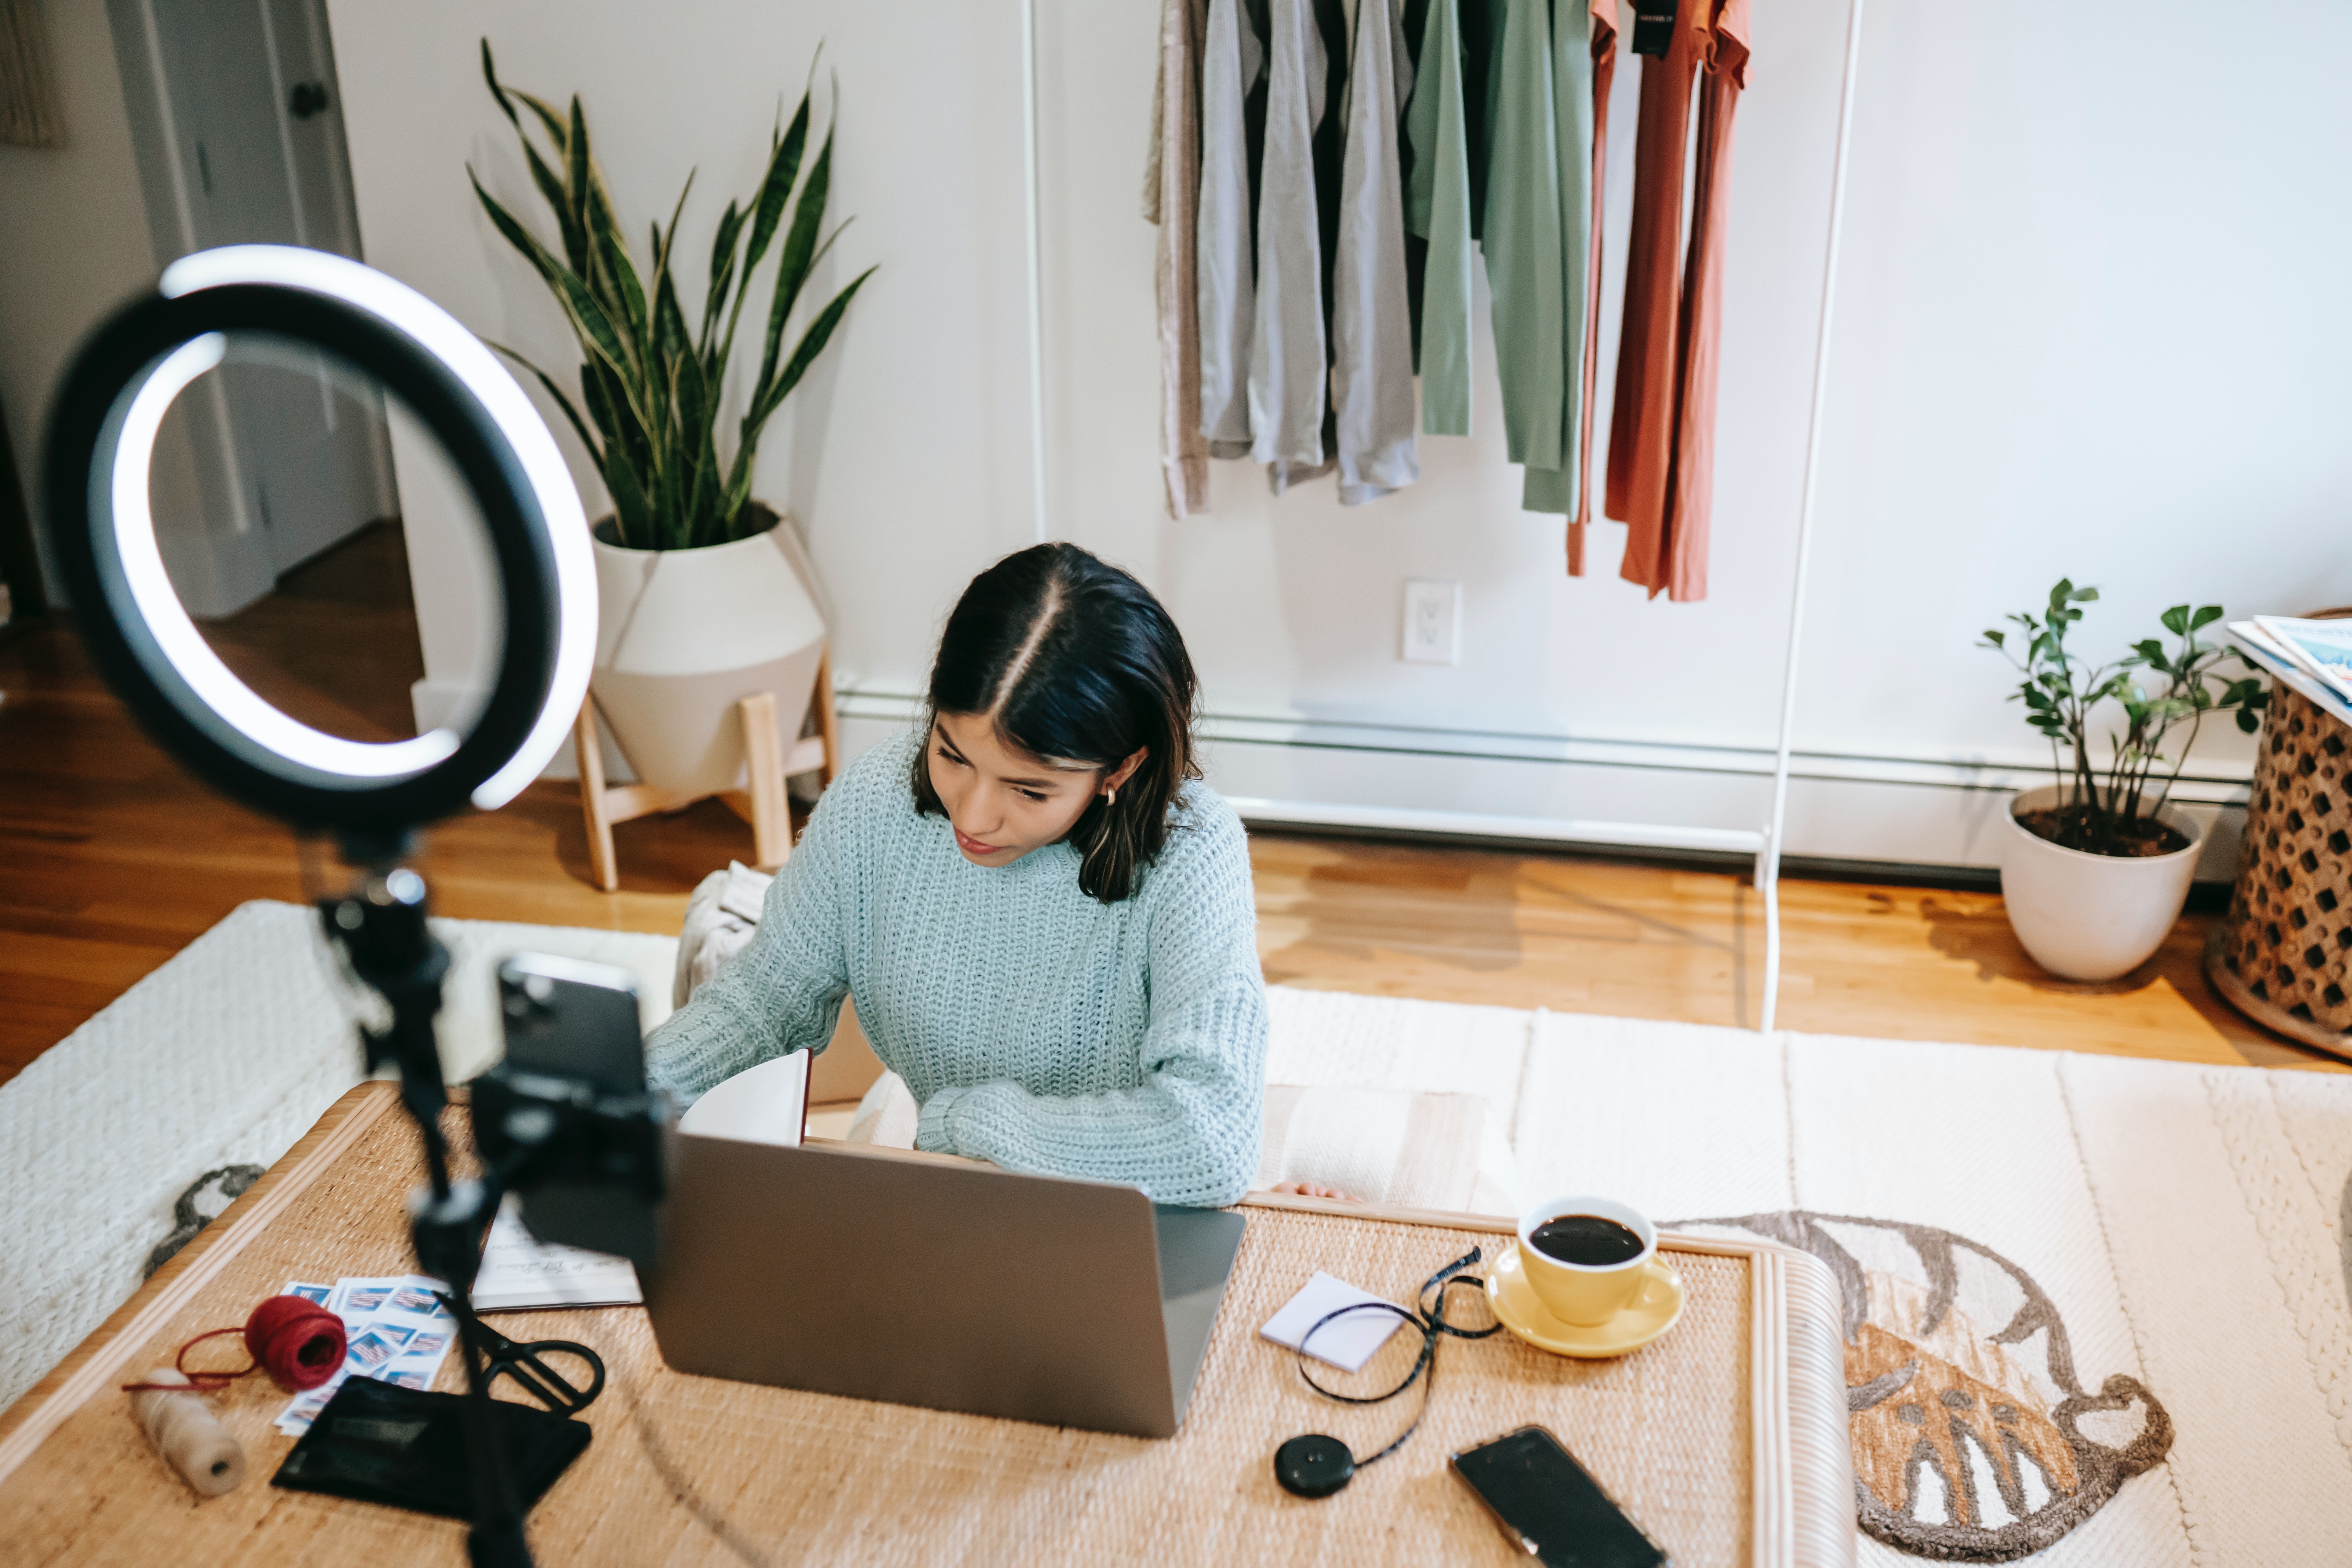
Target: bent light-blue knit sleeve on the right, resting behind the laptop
{"points": [[1189, 1132]]}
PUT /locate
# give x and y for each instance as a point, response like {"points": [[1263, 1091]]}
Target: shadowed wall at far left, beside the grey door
{"points": [[74, 229]]}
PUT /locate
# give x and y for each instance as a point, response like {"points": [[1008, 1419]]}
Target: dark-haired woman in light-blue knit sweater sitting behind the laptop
{"points": [[1045, 918]]}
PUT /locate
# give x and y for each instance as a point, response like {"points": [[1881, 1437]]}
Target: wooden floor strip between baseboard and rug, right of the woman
{"points": [[1638, 942]]}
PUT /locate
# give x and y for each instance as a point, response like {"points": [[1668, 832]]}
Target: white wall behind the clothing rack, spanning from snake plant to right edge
{"points": [[2092, 323]]}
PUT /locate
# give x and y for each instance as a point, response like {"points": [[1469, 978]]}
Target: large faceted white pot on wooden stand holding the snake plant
{"points": [[690, 634]]}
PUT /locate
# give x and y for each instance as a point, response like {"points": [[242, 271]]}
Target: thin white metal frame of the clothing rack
{"points": [[1763, 843]]}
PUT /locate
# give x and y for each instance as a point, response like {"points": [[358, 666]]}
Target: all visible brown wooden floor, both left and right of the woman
{"points": [[112, 862]]}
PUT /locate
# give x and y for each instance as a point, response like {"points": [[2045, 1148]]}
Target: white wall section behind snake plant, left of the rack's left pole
{"points": [[907, 450]]}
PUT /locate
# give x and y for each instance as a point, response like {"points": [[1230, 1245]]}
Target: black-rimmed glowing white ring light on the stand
{"points": [[100, 453]]}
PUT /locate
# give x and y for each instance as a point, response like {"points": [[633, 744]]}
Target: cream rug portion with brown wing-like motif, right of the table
{"points": [[2097, 1308]]}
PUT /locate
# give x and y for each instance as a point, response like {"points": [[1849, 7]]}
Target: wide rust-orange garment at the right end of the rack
{"points": [[1662, 431]]}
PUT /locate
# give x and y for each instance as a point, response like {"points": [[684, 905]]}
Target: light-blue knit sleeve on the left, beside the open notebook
{"points": [[784, 991]]}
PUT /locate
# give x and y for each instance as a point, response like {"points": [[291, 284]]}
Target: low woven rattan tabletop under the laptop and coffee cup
{"points": [[693, 1470]]}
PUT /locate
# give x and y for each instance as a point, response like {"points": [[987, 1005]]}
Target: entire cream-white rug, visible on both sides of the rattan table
{"points": [[2097, 1308]]}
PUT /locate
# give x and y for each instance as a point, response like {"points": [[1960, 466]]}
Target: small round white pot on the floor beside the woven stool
{"points": [[2092, 918]]}
